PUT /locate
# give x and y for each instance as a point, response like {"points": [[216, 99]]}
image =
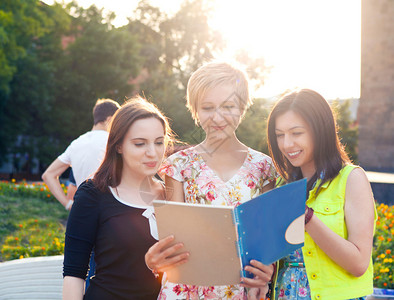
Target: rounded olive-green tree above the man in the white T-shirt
{"points": [[97, 63]]}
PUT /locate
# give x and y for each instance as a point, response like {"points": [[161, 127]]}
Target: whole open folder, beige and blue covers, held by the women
{"points": [[222, 240]]}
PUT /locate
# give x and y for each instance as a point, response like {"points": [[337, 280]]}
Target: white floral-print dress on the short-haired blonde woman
{"points": [[202, 186]]}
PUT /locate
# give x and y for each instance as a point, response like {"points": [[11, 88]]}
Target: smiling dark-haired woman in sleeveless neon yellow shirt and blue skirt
{"points": [[335, 262]]}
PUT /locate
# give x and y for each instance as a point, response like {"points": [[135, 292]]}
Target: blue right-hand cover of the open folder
{"points": [[263, 221]]}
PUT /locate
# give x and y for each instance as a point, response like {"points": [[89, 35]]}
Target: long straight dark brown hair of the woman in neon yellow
{"points": [[329, 154]]}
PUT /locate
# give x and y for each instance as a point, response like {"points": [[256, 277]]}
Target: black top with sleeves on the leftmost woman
{"points": [[120, 236]]}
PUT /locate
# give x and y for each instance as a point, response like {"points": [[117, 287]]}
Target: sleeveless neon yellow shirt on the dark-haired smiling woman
{"points": [[327, 280]]}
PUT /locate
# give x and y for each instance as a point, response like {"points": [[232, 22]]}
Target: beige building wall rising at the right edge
{"points": [[376, 109]]}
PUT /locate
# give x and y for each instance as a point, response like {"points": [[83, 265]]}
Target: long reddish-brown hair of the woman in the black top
{"points": [[110, 171]]}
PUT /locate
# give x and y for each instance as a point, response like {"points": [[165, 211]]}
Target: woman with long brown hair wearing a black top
{"points": [[113, 212]]}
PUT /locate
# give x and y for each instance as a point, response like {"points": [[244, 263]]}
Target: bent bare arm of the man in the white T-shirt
{"points": [[51, 178]]}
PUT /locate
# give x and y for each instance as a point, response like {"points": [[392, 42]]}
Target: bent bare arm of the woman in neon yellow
{"points": [[354, 253]]}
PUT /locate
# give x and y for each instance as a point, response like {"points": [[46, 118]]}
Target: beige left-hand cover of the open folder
{"points": [[210, 237]]}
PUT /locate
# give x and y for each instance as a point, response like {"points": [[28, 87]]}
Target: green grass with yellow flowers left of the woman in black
{"points": [[30, 225]]}
